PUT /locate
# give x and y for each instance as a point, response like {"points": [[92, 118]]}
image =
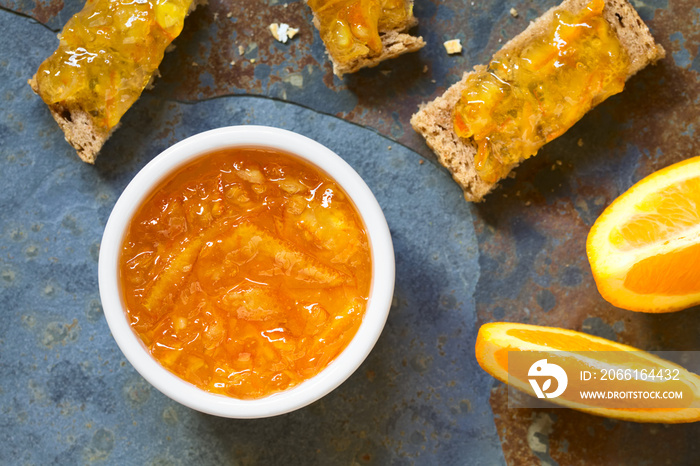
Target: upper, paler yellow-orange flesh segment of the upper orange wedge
{"points": [[661, 216]]}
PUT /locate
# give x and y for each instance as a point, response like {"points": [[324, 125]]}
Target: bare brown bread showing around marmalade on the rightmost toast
{"points": [[434, 120]]}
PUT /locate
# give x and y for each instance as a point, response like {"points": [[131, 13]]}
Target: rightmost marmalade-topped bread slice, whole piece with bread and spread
{"points": [[536, 87]]}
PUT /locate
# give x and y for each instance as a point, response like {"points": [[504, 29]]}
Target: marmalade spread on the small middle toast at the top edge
{"points": [[350, 28]]}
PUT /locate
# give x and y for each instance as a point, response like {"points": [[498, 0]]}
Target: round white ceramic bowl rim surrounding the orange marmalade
{"points": [[343, 366]]}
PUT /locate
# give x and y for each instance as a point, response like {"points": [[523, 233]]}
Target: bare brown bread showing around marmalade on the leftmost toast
{"points": [[79, 128]]}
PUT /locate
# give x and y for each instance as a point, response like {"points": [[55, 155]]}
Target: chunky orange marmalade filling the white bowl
{"points": [[246, 272]]}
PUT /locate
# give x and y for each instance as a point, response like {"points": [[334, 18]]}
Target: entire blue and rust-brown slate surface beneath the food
{"points": [[68, 396]]}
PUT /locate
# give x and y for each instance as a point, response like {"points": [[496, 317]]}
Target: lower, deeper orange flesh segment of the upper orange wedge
{"points": [[679, 269]]}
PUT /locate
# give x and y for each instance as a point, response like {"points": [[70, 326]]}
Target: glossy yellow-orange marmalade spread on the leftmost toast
{"points": [[107, 55]]}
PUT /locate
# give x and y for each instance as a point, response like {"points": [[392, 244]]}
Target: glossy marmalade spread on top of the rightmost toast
{"points": [[524, 100]]}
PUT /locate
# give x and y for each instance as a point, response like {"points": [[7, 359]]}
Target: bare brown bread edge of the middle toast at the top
{"points": [[395, 42]]}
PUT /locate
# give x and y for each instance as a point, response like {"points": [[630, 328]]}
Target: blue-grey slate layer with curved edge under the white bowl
{"points": [[68, 395]]}
